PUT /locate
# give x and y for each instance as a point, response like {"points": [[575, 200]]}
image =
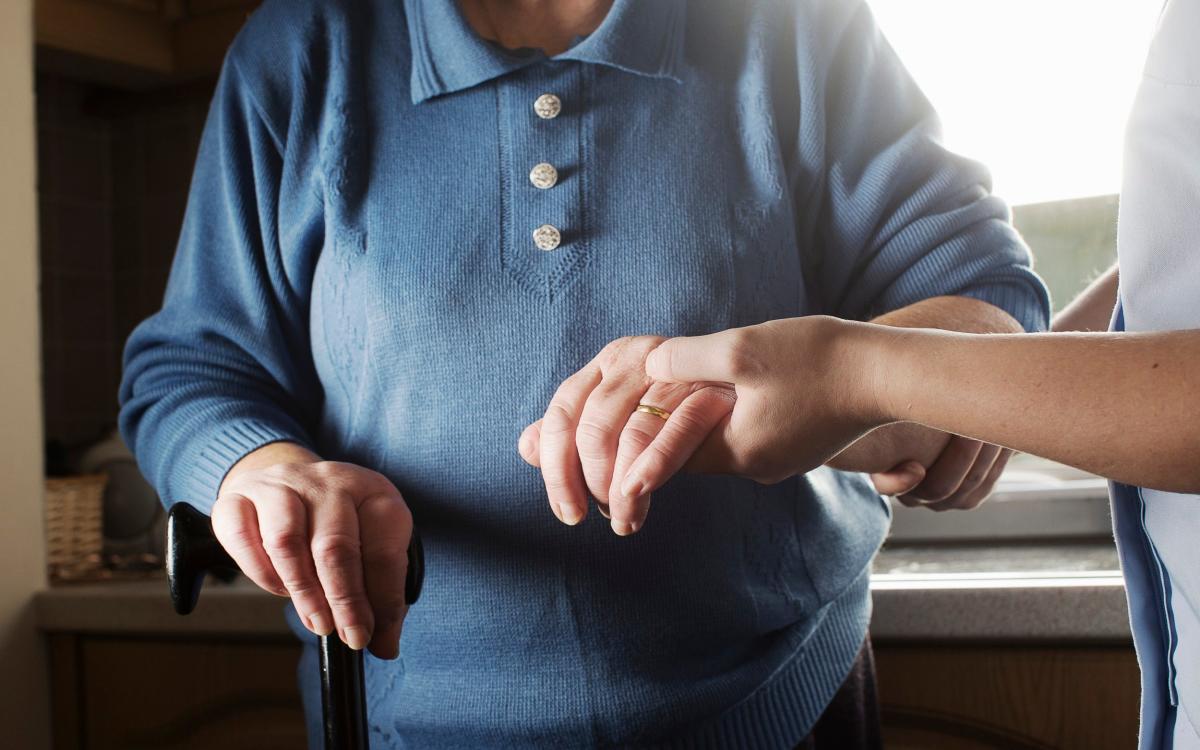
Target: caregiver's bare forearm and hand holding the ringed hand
{"points": [[1120, 405]]}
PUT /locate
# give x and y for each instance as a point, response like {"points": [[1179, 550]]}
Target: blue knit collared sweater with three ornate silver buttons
{"points": [[358, 274]]}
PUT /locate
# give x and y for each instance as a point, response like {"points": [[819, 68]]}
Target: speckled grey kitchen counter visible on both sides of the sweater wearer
{"points": [[922, 593]]}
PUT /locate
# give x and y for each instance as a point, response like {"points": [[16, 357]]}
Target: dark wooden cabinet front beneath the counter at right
{"points": [[1011, 698]]}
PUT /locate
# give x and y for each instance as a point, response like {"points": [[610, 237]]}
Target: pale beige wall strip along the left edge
{"points": [[23, 692]]}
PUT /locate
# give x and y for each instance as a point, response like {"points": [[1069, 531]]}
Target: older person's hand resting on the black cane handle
{"points": [[333, 537]]}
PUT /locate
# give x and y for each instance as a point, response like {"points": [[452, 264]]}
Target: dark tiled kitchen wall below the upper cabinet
{"points": [[113, 177]]}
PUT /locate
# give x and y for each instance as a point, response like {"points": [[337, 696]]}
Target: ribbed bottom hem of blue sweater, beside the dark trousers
{"points": [[783, 711]]}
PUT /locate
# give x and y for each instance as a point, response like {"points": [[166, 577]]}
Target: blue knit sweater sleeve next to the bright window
{"points": [[903, 219]]}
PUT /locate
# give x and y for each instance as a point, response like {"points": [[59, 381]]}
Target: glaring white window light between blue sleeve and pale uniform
{"points": [[1039, 91]]}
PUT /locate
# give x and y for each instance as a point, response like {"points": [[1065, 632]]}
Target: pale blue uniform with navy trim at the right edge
{"points": [[1159, 533]]}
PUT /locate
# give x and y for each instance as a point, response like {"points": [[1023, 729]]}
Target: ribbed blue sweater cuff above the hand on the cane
{"points": [[219, 452]]}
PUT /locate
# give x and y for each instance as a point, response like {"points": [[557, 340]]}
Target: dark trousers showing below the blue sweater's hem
{"points": [[851, 722]]}
